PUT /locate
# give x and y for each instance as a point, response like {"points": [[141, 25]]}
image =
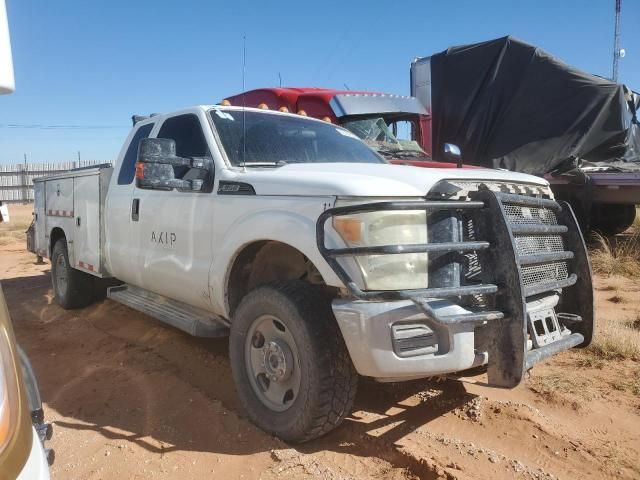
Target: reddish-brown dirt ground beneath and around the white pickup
{"points": [[131, 398]]}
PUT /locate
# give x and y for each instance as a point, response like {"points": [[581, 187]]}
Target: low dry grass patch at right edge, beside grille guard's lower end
{"points": [[617, 339]]}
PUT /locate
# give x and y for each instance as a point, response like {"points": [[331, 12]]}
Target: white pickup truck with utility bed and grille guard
{"points": [[317, 258]]}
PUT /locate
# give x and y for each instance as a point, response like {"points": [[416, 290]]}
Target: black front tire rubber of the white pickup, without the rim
{"points": [[328, 378]]}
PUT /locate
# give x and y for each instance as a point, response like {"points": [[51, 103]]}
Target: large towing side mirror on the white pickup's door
{"points": [[156, 159]]}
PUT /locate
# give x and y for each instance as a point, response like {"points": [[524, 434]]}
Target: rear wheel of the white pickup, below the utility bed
{"points": [[72, 288]]}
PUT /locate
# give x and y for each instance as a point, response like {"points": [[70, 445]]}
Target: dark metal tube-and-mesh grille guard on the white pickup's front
{"points": [[507, 280]]}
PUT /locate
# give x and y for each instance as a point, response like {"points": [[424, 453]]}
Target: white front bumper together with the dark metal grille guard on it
{"points": [[525, 315]]}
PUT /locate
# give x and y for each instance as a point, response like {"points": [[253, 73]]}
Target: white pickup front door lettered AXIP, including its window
{"points": [[174, 228]]}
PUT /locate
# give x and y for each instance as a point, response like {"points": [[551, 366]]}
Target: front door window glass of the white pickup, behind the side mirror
{"points": [[187, 132]]}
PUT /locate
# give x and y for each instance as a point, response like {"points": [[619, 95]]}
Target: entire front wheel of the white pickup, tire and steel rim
{"points": [[295, 322]]}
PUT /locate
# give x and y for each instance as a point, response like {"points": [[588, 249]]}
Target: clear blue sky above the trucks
{"points": [[90, 64]]}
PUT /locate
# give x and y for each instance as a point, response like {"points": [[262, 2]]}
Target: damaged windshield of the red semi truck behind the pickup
{"points": [[376, 133]]}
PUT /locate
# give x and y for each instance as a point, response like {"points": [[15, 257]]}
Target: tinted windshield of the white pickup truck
{"points": [[268, 139]]}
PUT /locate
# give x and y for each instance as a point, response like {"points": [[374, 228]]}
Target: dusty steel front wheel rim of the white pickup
{"points": [[272, 362]]}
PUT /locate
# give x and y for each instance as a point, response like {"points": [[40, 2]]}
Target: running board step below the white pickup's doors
{"points": [[194, 321]]}
